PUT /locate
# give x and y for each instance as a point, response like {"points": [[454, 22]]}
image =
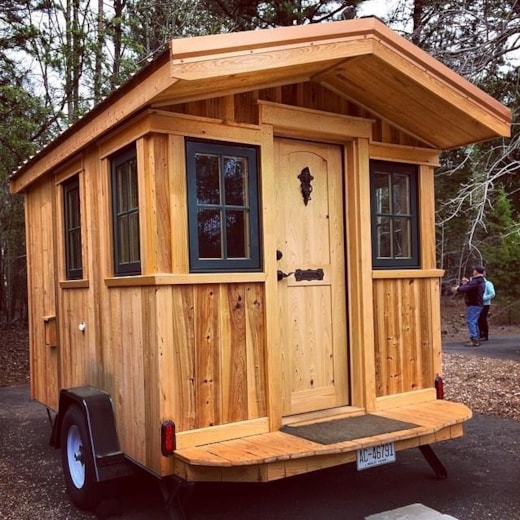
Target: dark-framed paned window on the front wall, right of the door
{"points": [[395, 236]]}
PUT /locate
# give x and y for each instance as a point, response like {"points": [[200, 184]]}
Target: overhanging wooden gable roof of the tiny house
{"points": [[361, 59]]}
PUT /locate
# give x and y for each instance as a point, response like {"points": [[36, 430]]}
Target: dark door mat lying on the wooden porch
{"points": [[348, 429]]}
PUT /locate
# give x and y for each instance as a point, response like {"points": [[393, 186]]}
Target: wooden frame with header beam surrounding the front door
{"points": [[353, 135]]}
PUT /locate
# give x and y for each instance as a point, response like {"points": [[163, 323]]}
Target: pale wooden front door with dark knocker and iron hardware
{"points": [[311, 251]]}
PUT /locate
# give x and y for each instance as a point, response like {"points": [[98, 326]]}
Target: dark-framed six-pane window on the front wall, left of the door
{"points": [[222, 207]]}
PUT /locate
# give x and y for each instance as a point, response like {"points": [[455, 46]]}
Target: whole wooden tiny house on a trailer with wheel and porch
{"points": [[231, 259]]}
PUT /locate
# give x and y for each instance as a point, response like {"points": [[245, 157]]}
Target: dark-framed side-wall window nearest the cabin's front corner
{"points": [[125, 213]]}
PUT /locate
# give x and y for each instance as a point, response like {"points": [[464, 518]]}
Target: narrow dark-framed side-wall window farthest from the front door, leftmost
{"points": [[72, 229]]}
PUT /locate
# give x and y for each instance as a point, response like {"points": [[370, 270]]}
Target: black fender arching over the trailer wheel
{"points": [[108, 459]]}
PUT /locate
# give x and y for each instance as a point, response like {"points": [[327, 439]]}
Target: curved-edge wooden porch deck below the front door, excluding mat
{"points": [[276, 455]]}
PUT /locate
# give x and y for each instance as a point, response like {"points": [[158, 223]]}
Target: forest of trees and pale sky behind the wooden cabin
{"points": [[58, 58]]}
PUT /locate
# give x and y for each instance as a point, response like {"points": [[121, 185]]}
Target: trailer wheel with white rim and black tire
{"points": [[76, 459]]}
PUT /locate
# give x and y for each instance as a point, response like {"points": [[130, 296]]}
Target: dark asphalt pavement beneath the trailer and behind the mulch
{"points": [[483, 476]]}
